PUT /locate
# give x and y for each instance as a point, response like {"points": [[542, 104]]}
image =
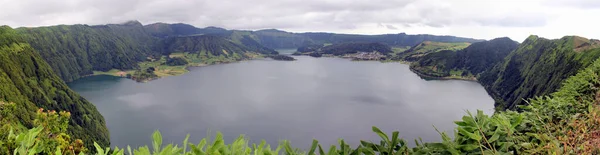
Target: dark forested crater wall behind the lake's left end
{"points": [[74, 51]]}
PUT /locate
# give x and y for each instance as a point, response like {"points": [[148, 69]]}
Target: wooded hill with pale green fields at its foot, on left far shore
{"points": [[179, 52]]}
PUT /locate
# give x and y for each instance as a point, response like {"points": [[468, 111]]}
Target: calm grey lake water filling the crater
{"points": [[320, 98]]}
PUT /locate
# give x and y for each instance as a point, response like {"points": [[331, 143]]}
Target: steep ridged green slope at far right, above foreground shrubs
{"points": [[537, 67]]}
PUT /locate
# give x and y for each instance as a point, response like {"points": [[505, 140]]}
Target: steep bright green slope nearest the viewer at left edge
{"points": [[28, 81]]}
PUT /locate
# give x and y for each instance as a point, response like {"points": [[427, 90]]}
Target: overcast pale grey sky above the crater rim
{"points": [[482, 19]]}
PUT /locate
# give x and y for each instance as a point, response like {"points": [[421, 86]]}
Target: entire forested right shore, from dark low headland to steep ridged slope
{"points": [[511, 72]]}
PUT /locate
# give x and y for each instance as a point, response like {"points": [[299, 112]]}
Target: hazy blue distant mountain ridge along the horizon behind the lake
{"points": [[277, 39]]}
